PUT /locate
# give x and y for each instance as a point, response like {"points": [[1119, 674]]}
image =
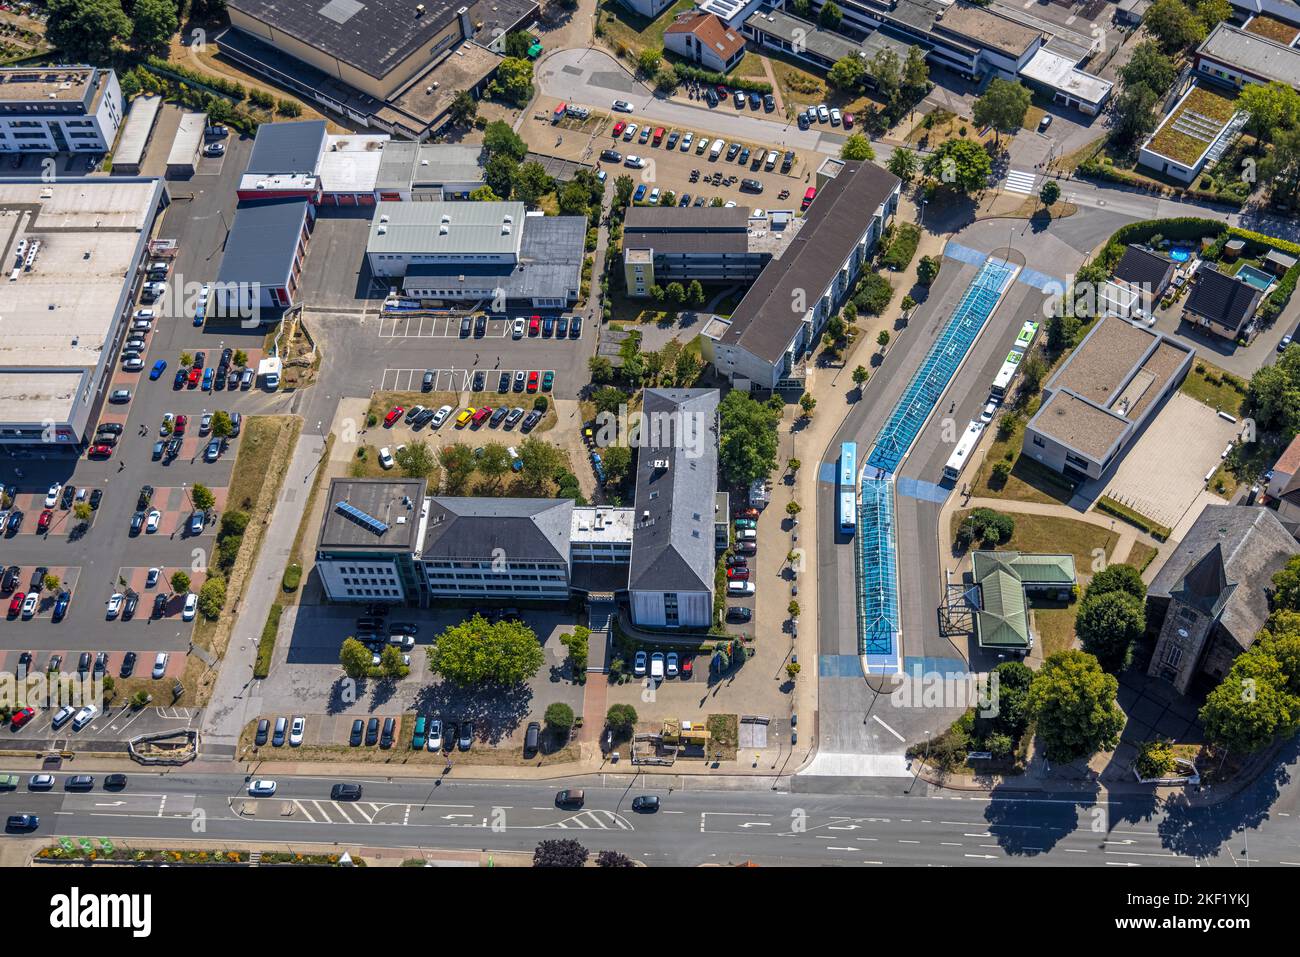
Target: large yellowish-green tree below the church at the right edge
{"points": [[1251, 707]]}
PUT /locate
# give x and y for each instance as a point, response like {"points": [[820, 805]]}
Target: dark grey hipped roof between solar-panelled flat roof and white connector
{"points": [[526, 530]]}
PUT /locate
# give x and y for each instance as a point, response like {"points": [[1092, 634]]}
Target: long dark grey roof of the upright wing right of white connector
{"points": [[673, 536]]}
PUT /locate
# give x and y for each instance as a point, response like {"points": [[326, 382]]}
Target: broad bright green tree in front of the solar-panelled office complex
{"points": [[478, 652]]}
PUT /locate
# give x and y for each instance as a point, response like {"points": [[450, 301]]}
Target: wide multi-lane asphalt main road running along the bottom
{"points": [[883, 826]]}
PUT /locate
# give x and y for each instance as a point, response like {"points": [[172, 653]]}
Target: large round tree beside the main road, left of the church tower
{"points": [[1074, 703]]}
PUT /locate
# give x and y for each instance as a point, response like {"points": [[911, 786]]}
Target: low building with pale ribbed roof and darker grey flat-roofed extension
{"points": [[465, 253]]}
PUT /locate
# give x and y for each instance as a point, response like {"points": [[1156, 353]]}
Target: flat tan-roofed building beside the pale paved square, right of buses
{"points": [[1103, 395]]}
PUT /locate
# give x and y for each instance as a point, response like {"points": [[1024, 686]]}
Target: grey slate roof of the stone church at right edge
{"points": [[1254, 545]]}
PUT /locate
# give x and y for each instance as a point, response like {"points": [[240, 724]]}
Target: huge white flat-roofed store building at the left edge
{"points": [[73, 252]]}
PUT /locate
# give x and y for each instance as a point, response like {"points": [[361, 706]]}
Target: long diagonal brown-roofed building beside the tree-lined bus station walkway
{"points": [[768, 339]]}
